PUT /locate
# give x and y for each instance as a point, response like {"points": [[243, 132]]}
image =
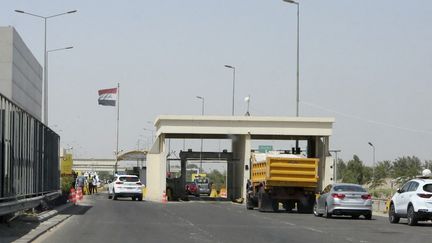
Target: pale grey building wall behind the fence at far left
{"points": [[20, 72]]}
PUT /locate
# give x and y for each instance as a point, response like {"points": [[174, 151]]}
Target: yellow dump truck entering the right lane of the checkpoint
{"points": [[282, 178]]}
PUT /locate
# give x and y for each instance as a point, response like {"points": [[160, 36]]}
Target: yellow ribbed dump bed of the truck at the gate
{"points": [[284, 170]]}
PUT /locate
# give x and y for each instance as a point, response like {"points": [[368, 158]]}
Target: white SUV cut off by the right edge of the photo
{"points": [[413, 201]]}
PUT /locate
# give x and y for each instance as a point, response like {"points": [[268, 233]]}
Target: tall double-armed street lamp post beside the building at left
{"points": [[45, 81]]}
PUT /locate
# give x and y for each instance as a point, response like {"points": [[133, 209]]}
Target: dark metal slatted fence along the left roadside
{"points": [[29, 155]]}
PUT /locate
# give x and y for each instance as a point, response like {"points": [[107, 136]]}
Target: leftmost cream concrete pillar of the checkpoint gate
{"points": [[156, 170]]}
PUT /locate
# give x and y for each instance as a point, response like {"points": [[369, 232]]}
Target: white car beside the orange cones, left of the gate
{"points": [[125, 186]]}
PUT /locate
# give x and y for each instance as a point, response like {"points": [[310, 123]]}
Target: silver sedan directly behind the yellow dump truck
{"points": [[344, 199]]}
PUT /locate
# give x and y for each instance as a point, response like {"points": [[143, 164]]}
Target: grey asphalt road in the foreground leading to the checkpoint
{"points": [[101, 220]]}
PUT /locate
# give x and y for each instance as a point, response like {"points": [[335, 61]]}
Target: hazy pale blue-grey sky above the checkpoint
{"points": [[367, 63]]}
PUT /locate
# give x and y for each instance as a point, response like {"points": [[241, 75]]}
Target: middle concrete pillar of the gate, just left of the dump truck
{"points": [[237, 175]]}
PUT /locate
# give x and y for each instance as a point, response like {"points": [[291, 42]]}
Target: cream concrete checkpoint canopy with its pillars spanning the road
{"points": [[241, 130]]}
